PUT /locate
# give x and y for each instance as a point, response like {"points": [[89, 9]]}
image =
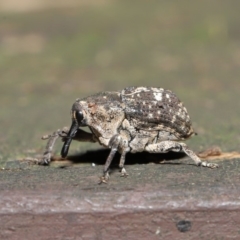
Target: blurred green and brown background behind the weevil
{"points": [[53, 53]]}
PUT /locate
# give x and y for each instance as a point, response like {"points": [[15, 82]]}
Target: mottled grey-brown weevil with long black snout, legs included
{"points": [[134, 120]]}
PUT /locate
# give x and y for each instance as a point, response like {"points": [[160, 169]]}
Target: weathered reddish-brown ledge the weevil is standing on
{"points": [[176, 200]]}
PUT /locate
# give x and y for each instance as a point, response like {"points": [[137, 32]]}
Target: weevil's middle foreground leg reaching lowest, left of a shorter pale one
{"points": [[113, 144]]}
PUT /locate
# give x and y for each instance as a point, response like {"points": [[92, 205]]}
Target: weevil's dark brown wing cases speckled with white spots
{"points": [[154, 109]]}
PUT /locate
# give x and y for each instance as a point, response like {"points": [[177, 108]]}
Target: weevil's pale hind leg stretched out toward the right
{"points": [[166, 146]]}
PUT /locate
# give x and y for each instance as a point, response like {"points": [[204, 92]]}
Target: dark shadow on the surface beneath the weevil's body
{"points": [[99, 157]]}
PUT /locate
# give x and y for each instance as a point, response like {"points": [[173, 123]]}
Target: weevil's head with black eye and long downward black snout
{"points": [[77, 121]]}
